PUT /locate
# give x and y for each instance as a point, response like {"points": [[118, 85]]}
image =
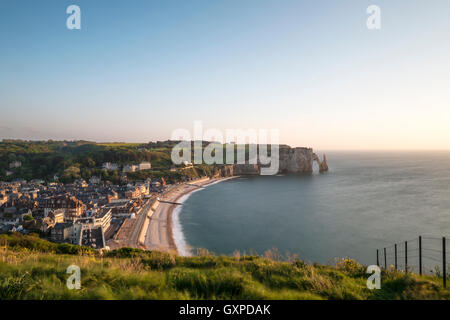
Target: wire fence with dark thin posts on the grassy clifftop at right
{"points": [[423, 255]]}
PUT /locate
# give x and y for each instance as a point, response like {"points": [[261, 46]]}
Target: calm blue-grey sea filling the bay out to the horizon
{"points": [[366, 201]]}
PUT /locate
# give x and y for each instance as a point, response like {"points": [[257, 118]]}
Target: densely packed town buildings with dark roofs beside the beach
{"points": [[92, 213]]}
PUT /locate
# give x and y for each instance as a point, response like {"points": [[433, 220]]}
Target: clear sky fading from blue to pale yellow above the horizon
{"points": [[138, 70]]}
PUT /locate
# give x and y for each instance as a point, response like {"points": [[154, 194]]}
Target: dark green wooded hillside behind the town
{"points": [[72, 160]]}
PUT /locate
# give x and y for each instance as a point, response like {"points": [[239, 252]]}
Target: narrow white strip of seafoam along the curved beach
{"points": [[177, 229]]}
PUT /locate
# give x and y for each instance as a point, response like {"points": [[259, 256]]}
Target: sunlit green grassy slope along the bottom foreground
{"points": [[32, 268]]}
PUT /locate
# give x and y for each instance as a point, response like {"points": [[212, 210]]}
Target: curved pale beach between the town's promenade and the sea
{"points": [[162, 231]]}
